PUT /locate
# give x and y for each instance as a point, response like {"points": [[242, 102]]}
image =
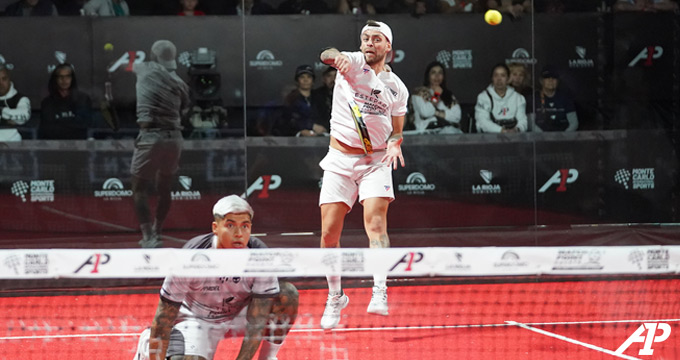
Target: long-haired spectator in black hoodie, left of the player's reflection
{"points": [[66, 113]]}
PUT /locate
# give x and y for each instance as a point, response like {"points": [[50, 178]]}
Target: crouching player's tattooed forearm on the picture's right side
{"points": [[257, 315]]}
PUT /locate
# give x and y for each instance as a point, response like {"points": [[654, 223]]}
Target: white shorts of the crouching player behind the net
{"points": [[195, 337]]}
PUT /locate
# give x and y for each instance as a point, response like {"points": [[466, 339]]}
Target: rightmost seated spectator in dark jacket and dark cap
{"points": [[555, 110]]}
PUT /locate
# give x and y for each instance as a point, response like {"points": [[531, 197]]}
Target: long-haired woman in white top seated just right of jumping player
{"points": [[434, 106]]}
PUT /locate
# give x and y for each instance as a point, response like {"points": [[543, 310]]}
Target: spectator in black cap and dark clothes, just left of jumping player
{"points": [[296, 117]]}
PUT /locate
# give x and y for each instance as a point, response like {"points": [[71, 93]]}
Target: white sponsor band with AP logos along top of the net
{"points": [[433, 261]]}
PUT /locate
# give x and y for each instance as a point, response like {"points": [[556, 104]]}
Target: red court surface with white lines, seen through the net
{"points": [[544, 320]]}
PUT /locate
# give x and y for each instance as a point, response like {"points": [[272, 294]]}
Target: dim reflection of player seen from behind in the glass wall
{"points": [[161, 97]]}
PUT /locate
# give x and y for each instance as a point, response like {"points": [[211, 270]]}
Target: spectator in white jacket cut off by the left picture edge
{"points": [[15, 108]]}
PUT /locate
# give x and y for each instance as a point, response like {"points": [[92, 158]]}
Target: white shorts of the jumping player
{"points": [[346, 176]]}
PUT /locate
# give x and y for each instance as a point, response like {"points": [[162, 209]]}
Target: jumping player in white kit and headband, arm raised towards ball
{"points": [[367, 118]]}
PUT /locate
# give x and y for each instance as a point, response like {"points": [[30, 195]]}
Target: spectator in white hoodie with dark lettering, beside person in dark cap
{"points": [[499, 108]]}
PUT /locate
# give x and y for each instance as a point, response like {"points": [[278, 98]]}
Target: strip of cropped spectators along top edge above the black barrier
{"points": [[513, 8]]}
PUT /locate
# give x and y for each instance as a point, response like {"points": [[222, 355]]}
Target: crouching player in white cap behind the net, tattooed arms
{"points": [[194, 314]]}
